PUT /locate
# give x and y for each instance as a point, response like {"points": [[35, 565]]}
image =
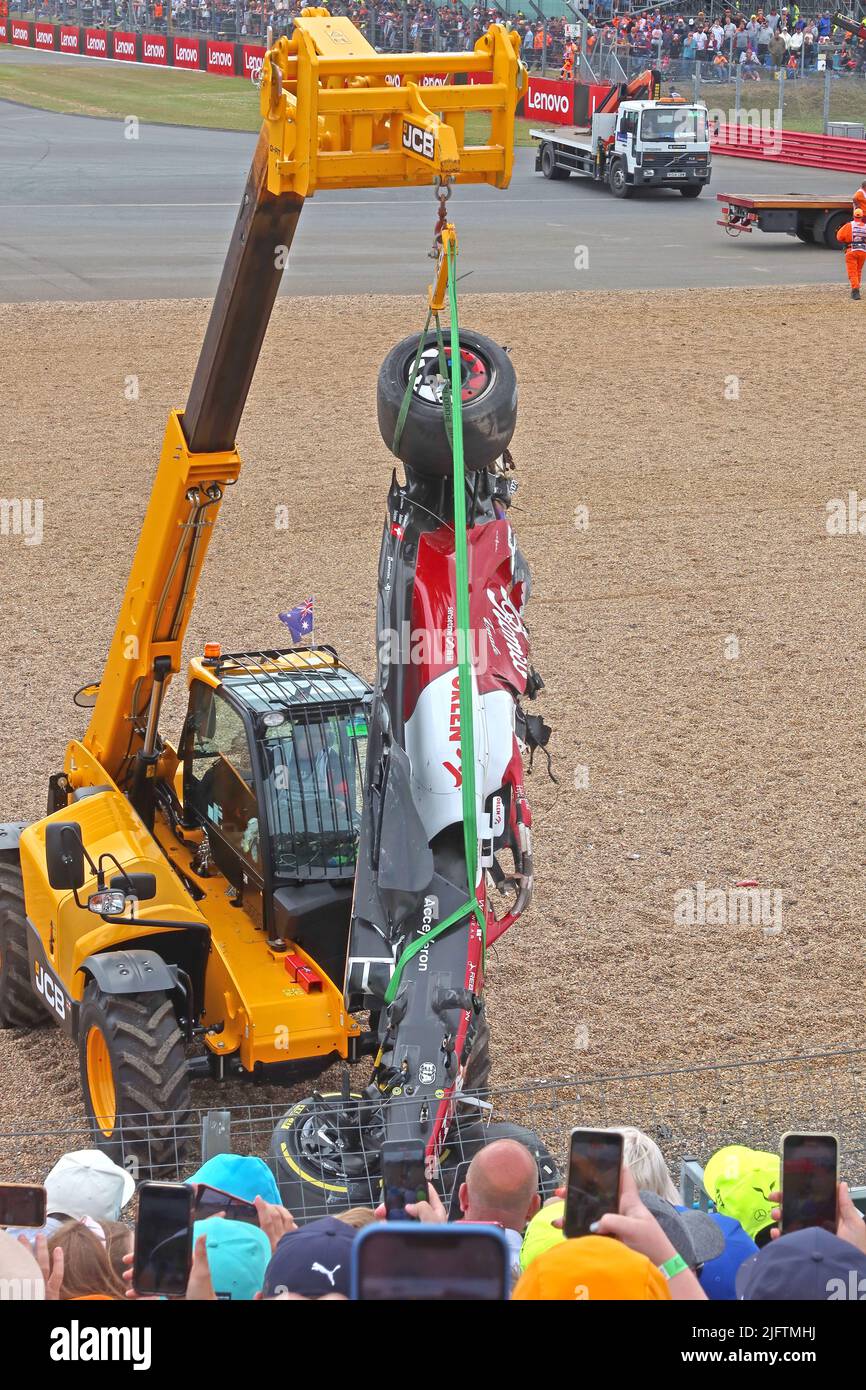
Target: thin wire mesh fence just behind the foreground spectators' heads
{"points": [[322, 1145]]}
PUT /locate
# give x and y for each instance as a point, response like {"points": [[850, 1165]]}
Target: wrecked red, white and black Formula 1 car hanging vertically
{"points": [[415, 961]]}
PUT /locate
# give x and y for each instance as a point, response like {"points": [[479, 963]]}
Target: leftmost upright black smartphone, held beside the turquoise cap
{"points": [[163, 1239]]}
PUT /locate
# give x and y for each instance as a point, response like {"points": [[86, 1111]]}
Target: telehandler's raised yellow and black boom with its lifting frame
{"points": [[336, 115]]}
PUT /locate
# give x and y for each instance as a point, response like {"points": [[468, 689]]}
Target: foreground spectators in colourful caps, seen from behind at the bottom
{"points": [[651, 1249]]}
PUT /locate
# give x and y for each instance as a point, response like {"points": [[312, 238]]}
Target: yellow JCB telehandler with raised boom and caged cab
{"points": [[198, 899]]}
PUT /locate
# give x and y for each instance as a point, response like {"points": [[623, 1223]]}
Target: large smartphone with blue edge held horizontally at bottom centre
{"points": [[409, 1261]]}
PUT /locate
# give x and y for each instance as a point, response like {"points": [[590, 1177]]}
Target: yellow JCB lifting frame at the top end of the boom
{"points": [[343, 116]]}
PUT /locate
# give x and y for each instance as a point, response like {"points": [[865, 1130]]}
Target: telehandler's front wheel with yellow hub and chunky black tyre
{"points": [[136, 1079]]}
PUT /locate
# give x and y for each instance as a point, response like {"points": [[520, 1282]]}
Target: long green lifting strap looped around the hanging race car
{"points": [[454, 398]]}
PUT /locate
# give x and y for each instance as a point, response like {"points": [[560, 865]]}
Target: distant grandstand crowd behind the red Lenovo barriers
{"points": [[757, 41]]}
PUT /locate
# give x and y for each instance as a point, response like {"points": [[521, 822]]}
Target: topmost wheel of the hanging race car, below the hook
{"points": [[490, 404]]}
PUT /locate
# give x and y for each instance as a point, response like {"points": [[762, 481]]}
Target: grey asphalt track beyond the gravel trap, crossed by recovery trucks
{"points": [[87, 215]]}
